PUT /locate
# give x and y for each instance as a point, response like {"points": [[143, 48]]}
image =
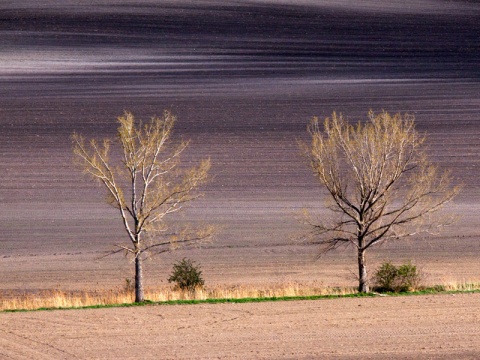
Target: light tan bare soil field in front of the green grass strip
{"points": [[440, 327]]}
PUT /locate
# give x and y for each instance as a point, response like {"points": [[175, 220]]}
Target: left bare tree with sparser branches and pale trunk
{"points": [[145, 185]]}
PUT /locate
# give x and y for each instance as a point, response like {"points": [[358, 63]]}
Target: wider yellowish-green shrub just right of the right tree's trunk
{"points": [[391, 278]]}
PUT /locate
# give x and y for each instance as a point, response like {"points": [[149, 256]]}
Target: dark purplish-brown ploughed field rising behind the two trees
{"points": [[244, 81]]}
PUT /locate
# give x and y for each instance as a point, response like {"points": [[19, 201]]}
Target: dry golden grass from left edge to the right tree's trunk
{"points": [[63, 299]]}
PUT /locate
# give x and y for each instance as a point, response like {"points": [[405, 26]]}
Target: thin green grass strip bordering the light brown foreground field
{"points": [[428, 291]]}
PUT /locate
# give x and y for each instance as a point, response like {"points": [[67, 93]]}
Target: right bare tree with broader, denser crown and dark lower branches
{"points": [[380, 182]]}
